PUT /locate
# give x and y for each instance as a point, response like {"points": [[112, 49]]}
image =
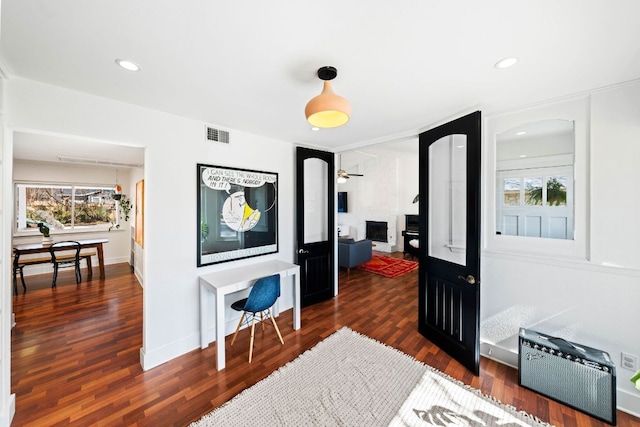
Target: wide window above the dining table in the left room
{"points": [[64, 207]]}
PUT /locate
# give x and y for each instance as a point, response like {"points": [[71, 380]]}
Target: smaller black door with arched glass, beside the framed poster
{"points": [[315, 224]]}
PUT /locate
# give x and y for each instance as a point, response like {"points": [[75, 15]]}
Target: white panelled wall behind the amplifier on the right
{"points": [[590, 296]]}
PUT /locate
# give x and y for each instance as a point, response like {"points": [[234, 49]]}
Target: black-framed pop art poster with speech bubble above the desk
{"points": [[237, 213]]}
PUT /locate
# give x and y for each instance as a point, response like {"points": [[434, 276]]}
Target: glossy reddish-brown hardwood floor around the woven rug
{"points": [[75, 354]]}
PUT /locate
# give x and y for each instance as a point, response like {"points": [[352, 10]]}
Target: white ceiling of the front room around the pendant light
{"points": [[251, 65]]}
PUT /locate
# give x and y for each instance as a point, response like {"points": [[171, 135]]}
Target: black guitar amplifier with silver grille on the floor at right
{"points": [[576, 375]]}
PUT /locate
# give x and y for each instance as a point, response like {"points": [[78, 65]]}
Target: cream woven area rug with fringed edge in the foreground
{"points": [[352, 380]]}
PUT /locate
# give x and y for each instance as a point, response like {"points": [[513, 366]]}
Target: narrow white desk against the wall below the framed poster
{"points": [[225, 282]]}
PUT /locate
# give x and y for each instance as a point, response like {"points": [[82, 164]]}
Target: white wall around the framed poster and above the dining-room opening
{"points": [[174, 145]]}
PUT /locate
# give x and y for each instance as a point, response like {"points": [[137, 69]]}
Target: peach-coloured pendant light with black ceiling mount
{"points": [[327, 110]]}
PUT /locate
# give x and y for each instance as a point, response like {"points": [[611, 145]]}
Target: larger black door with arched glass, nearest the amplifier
{"points": [[449, 274]]}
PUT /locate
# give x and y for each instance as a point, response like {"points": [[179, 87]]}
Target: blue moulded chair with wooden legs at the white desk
{"points": [[263, 295]]}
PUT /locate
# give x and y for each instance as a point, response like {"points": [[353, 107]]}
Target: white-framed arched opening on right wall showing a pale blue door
{"points": [[551, 135]]}
